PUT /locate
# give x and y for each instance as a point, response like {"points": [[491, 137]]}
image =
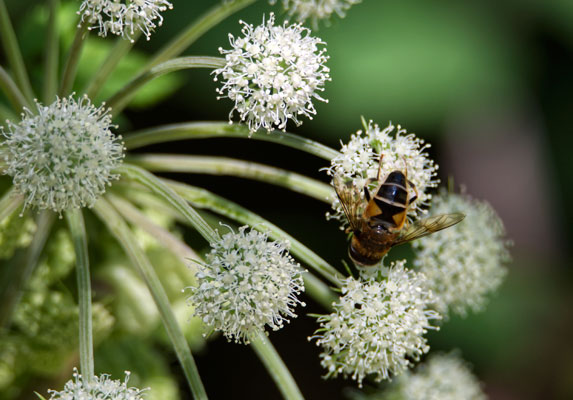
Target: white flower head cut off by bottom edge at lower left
{"points": [[101, 388]]}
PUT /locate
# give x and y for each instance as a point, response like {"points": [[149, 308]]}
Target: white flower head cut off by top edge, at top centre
{"points": [[316, 10]]}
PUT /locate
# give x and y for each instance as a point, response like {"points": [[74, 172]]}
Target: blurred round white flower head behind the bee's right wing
{"points": [[465, 262]]}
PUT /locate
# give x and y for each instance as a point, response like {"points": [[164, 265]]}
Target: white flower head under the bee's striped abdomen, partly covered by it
{"points": [[359, 160]]}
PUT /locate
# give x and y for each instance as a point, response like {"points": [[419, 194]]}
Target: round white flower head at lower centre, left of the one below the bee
{"points": [[246, 283]]}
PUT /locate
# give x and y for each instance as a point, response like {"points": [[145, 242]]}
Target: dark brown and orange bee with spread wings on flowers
{"points": [[379, 222]]}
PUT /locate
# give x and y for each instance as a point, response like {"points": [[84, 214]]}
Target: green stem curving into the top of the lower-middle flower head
{"points": [[165, 192]]}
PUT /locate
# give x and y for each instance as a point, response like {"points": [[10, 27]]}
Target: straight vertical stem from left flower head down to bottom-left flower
{"points": [[77, 228]]}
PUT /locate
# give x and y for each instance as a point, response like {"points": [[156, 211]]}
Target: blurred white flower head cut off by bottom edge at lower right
{"points": [[442, 377]]}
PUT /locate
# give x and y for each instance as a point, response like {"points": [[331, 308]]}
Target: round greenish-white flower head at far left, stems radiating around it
{"points": [[63, 155]]}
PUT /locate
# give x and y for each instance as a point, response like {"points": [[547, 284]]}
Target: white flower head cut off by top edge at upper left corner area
{"points": [[123, 19]]}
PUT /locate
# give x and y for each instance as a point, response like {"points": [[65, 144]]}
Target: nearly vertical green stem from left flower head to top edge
{"points": [[51, 55]]}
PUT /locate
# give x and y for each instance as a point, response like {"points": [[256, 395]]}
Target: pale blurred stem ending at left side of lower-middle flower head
{"points": [[162, 235]]}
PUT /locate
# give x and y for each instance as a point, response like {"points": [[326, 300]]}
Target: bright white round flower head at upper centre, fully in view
{"points": [[273, 73]]}
